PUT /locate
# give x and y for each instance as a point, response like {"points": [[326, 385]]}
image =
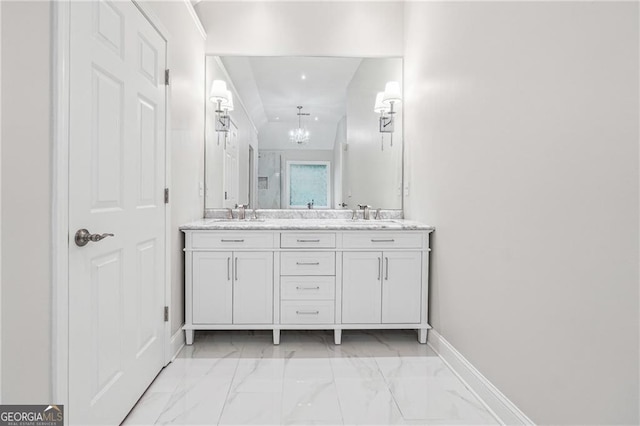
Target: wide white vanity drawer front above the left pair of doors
{"points": [[232, 240]]}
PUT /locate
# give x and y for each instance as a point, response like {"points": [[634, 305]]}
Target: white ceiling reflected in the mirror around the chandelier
{"points": [[272, 87]]}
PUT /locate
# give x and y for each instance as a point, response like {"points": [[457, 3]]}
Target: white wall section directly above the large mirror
{"points": [[309, 28]]}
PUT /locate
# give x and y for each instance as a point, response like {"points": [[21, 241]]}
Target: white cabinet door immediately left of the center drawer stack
{"points": [[253, 288]]}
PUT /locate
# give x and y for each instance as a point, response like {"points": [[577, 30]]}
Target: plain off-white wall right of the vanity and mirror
{"points": [[521, 122]]}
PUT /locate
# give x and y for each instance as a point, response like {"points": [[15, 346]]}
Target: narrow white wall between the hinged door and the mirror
{"points": [[186, 130]]}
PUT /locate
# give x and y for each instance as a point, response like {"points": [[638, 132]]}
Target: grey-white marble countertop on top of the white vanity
{"points": [[305, 224]]}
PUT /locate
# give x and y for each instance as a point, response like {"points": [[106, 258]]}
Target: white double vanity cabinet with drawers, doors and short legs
{"points": [[317, 279]]}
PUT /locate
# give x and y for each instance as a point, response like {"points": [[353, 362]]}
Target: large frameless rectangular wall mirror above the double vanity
{"points": [[302, 132]]}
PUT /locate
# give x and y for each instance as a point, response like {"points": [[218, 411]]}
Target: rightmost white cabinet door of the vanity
{"points": [[401, 287]]}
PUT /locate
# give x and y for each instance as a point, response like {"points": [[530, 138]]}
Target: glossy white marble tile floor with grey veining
{"points": [[373, 378]]}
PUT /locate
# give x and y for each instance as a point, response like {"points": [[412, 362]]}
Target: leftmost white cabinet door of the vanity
{"points": [[212, 288]]}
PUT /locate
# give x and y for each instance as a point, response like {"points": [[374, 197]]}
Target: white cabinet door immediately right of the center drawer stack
{"points": [[361, 287]]}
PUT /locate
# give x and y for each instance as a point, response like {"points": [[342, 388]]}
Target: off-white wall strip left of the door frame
{"points": [[26, 198]]}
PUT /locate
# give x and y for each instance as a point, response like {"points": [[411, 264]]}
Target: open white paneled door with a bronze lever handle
{"points": [[116, 181]]}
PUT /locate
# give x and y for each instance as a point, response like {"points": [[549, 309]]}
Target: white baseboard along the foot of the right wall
{"points": [[494, 400]]}
